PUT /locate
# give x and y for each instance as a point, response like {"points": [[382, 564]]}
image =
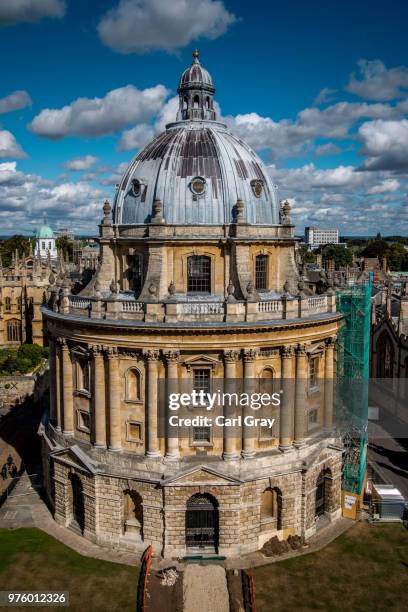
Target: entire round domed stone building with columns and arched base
{"points": [[197, 281]]}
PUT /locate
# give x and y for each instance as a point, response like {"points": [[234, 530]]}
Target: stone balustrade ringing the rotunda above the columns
{"points": [[173, 311]]}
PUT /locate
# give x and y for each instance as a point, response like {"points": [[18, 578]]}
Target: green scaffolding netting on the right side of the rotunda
{"points": [[353, 357]]}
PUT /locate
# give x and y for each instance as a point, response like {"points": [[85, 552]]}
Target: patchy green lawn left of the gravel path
{"points": [[32, 560]]}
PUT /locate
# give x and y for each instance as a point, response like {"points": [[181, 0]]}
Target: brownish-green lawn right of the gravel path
{"points": [[365, 569]]}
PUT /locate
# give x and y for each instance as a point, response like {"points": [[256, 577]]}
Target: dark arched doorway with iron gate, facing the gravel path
{"points": [[202, 522]]}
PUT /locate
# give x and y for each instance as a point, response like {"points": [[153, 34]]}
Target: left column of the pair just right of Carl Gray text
{"points": [[287, 400]]}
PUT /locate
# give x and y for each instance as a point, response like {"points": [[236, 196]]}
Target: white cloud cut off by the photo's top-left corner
{"points": [[16, 11]]}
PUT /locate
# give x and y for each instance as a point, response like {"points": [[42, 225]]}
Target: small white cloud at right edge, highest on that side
{"points": [[377, 82]]}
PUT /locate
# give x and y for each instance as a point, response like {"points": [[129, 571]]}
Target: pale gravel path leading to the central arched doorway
{"points": [[205, 589]]}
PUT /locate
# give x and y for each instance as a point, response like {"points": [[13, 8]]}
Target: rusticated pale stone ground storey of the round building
{"points": [[243, 526]]}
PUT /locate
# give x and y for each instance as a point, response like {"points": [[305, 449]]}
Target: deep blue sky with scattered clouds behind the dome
{"points": [[86, 84]]}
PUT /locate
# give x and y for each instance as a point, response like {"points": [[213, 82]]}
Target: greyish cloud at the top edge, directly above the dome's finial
{"points": [[138, 26]]}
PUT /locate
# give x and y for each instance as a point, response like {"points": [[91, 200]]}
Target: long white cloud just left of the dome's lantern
{"points": [[99, 116]]}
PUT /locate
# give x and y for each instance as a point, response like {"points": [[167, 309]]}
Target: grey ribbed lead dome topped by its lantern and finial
{"points": [[197, 168]]}
